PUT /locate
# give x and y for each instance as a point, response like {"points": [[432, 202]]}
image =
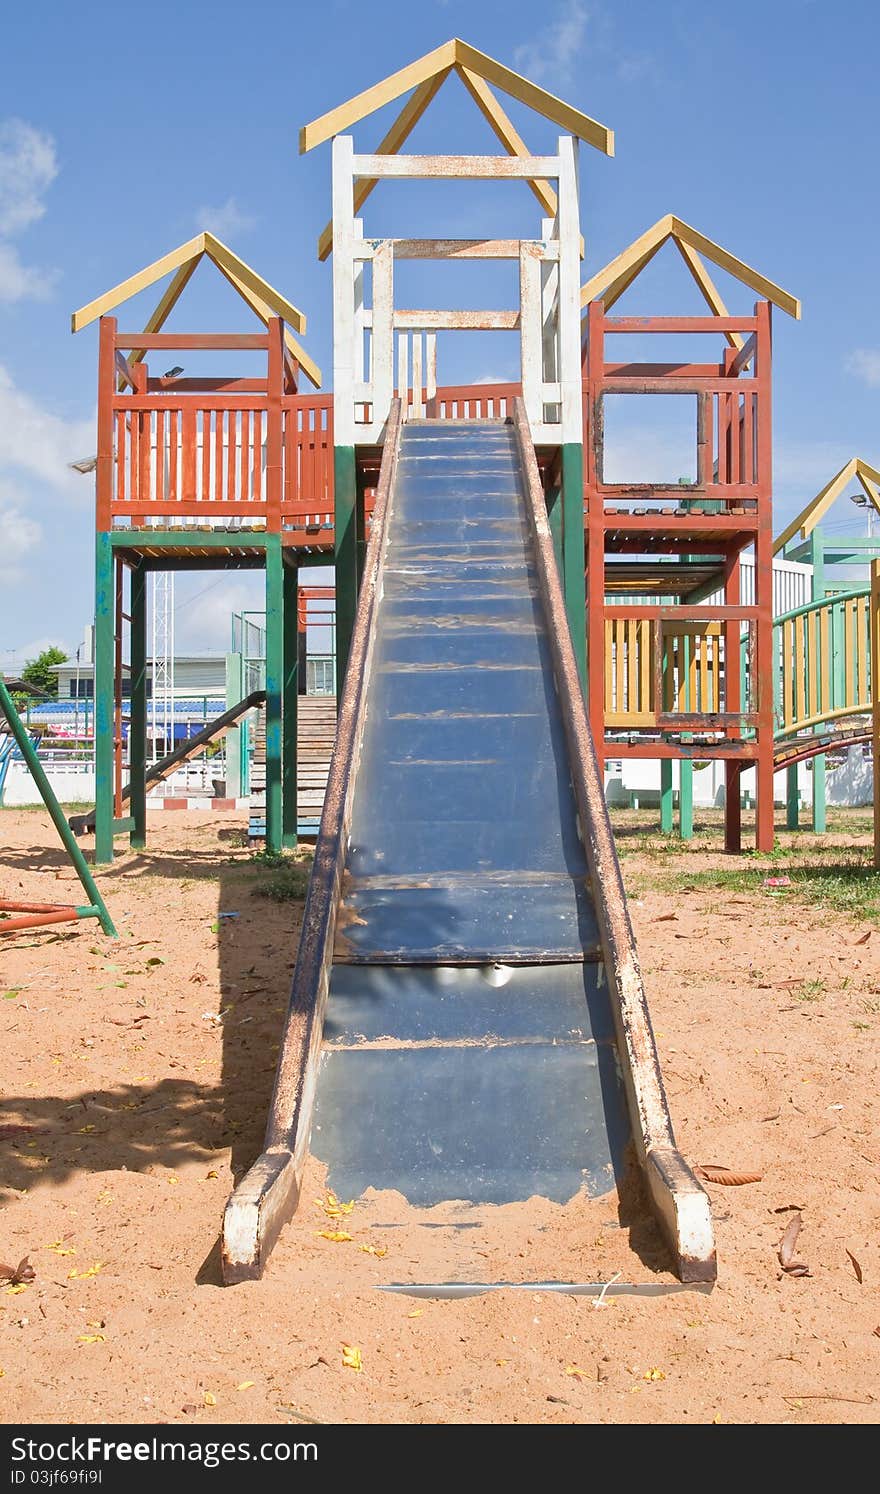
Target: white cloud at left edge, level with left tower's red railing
{"points": [[37, 441]]}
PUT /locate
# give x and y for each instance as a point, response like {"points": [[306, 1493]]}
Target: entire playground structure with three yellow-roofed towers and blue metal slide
{"points": [[476, 540]]}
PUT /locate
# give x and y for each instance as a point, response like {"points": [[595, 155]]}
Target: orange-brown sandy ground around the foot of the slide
{"points": [[137, 1076]]}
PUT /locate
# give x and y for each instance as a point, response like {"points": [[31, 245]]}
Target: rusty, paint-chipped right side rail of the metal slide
{"points": [[681, 1203]]}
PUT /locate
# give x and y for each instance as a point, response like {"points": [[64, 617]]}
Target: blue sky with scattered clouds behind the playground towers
{"points": [[125, 132]]}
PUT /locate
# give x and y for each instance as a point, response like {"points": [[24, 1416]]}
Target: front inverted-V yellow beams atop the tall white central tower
{"points": [[450, 55]]}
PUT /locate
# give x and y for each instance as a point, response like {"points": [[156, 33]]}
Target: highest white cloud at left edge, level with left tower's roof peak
{"points": [[28, 170]]}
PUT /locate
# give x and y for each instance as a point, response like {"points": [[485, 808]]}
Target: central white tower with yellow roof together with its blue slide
{"points": [[427, 899]]}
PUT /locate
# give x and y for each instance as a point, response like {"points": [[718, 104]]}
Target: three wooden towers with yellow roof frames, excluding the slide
{"points": [[199, 473]]}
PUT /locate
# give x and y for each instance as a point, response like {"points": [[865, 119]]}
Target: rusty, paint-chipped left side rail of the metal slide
{"points": [[268, 1196]]}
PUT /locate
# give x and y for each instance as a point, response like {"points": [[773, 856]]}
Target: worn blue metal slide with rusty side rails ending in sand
{"points": [[468, 985]]}
